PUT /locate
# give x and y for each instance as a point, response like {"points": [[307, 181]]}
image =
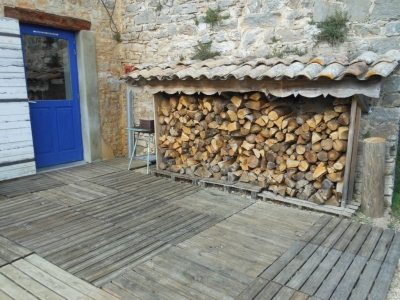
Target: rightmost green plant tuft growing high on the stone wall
{"points": [[333, 30]]}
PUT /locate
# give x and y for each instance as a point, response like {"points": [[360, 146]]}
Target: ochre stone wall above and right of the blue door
{"points": [[108, 51]]}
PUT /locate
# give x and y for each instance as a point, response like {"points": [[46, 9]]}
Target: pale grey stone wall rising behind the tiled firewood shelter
{"points": [[154, 34]]}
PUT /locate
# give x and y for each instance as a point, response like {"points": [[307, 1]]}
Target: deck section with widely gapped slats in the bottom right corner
{"points": [[333, 260]]}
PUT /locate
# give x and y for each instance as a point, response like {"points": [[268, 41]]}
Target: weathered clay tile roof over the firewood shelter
{"points": [[365, 65]]}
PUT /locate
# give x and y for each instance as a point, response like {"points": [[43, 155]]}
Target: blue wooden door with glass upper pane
{"points": [[53, 92]]}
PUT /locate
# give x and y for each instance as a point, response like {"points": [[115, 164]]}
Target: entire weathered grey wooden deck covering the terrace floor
{"points": [[146, 237]]}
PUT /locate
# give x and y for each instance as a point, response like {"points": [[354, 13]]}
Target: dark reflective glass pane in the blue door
{"points": [[47, 66]]}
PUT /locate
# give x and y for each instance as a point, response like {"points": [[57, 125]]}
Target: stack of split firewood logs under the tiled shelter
{"points": [[248, 138]]}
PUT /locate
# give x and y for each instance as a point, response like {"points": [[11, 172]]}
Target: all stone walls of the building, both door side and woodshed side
{"points": [[155, 31]]}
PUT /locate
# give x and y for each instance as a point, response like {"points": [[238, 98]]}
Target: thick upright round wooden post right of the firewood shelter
{"points": [[373, 177]]}
